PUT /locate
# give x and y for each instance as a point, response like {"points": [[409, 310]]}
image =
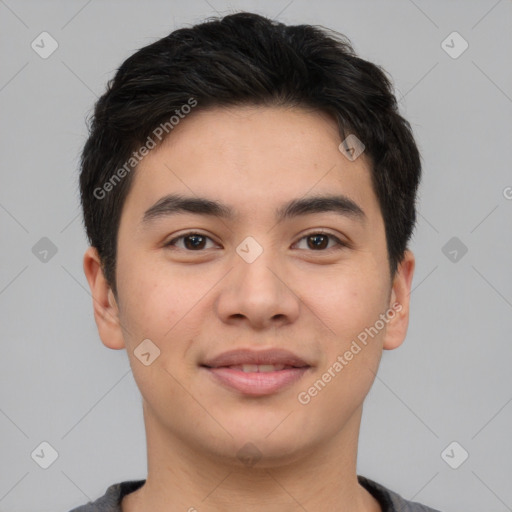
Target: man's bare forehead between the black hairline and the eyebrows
{"points": [[249, 156]]}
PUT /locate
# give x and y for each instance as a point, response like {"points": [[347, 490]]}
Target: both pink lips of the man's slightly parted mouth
{"points": [[256, 383]]}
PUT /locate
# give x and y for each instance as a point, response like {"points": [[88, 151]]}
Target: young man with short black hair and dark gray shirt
{"points": [[249, 191]]}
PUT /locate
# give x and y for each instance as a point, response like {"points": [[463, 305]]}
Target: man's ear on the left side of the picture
{"points": [[106, 312]]}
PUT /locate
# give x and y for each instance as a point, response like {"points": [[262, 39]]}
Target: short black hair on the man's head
{"points": [[245, 59]]}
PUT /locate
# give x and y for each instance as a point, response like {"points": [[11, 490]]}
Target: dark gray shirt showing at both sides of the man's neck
{"points": [[389, 500]]}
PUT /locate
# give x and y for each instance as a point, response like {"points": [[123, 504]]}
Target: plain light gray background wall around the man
{"points": [[450, 381]]}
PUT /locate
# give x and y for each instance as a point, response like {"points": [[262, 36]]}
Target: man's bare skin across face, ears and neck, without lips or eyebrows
{"points": [[195, 304]]}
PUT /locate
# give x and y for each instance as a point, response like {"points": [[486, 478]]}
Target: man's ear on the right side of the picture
{"points": [[399, 303]]}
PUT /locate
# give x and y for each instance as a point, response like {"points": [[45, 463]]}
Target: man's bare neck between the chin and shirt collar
{"points": [[181, 478]]}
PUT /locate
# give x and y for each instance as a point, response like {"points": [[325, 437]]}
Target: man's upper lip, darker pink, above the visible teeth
{"points": [[245, 356]]}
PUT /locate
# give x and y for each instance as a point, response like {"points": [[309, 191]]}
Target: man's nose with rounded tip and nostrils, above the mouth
{"points": [[258, 294]]}
